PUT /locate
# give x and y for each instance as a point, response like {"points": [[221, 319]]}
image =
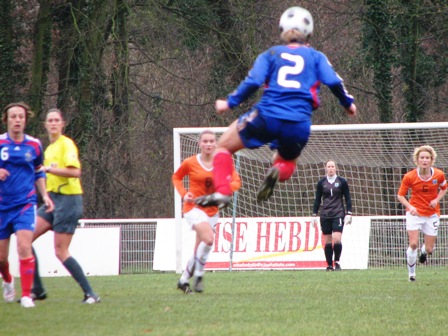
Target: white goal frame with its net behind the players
{"points": [[372, 157]]}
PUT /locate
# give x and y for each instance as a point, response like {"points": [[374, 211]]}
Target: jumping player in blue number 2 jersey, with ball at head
{"points": [[292, 75]]}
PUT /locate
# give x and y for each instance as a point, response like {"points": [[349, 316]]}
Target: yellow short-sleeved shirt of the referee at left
{"points": [[61, 154]]}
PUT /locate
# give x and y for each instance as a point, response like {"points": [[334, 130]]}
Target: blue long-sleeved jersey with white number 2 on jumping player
{"points": [[292, 76]]}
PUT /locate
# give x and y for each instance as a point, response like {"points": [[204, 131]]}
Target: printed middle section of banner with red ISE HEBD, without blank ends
{"points": [[267, 243]]}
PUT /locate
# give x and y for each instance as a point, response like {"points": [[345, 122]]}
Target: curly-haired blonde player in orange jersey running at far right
{"points": [[428, 186]]}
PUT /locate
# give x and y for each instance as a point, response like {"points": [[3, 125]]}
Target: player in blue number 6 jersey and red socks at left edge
{"points": [[21, 160]]}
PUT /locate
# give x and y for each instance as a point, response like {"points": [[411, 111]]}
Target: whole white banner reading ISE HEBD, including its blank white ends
{"points": [[265, 243]]}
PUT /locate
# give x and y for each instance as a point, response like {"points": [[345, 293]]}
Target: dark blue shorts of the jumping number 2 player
{"points": [[286, 136]]}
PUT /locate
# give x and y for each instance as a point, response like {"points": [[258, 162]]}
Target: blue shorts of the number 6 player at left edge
{"points": [[16, 219]]}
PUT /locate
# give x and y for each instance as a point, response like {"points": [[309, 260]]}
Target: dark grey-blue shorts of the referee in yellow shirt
{"points": [[66, 214]]}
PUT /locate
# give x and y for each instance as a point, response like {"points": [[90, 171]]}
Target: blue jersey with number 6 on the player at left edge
{"points": [[21, 160]]}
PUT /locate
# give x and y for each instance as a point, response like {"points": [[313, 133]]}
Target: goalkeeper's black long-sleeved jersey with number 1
{"points": [[331, 196]]}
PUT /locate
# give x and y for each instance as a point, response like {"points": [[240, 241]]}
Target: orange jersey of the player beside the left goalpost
{"points": [[200, 182]]}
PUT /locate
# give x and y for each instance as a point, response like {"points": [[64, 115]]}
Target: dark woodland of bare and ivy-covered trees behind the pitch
{"points": [[127, 72]]}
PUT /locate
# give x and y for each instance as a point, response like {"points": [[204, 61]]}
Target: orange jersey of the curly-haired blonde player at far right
{"points": [[423, 191]]}
